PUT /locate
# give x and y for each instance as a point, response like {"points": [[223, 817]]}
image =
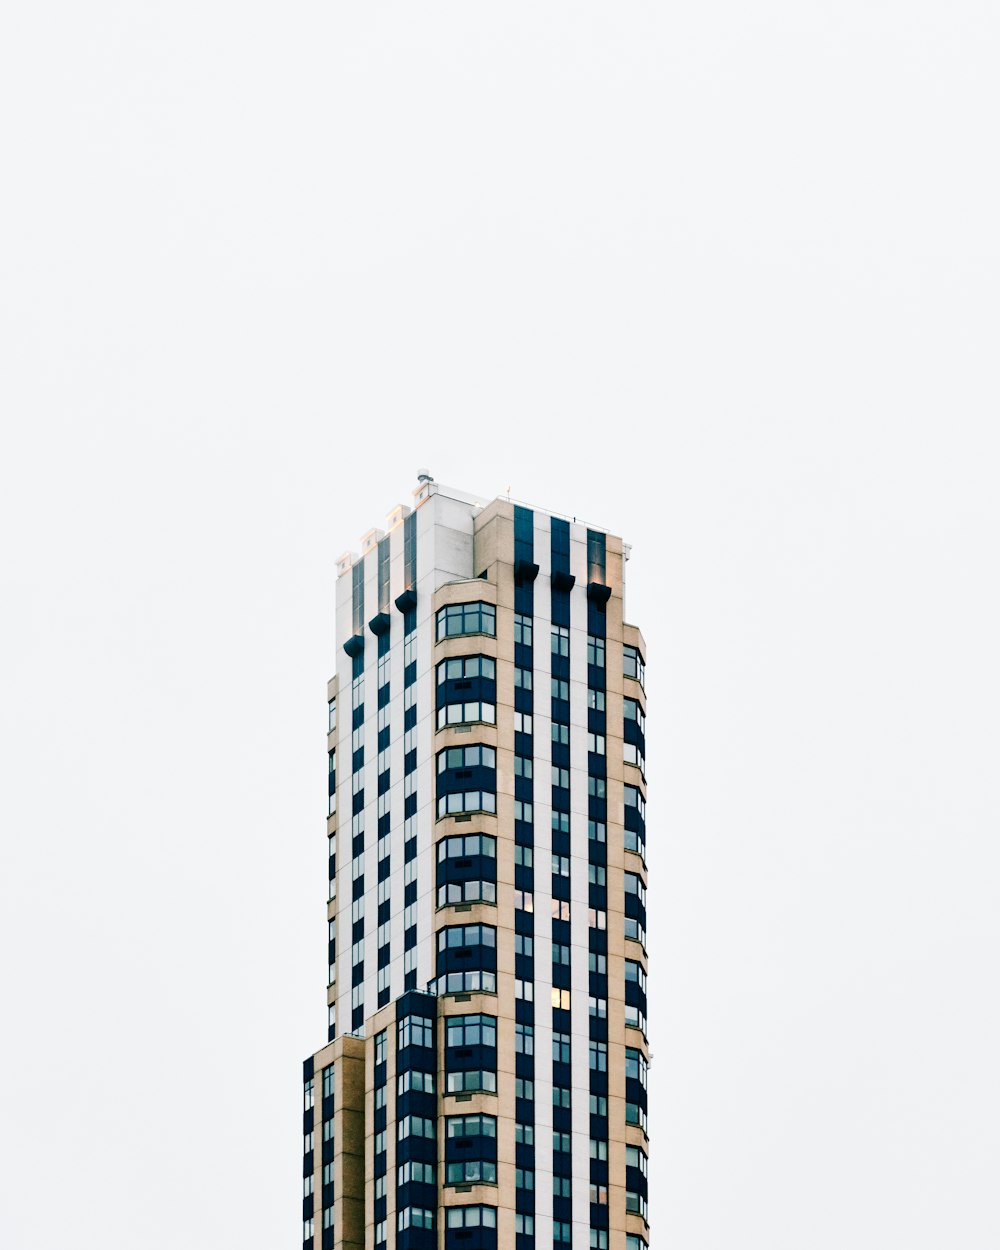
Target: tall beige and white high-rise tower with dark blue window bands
{"points": [[484, 1081]]}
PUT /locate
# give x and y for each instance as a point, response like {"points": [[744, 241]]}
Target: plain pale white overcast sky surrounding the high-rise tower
{"points": [[722, 277]]}
